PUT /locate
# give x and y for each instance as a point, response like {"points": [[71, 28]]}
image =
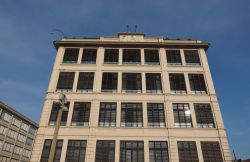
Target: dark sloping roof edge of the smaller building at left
{"points": [[13, 111]]}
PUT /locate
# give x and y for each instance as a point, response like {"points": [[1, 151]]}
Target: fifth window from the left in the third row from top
{"points": [[156, 116]]}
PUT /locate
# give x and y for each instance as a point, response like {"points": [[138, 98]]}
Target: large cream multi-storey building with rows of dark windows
{"points": [[132, 98]]}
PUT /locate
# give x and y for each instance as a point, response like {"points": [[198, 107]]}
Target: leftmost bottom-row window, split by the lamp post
{"points": [[46, 150]]}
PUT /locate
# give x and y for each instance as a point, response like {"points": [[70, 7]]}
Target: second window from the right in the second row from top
{"points": [[177, 83]]}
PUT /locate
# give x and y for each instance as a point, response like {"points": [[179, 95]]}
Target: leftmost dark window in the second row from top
{"points": [[65, 81]]}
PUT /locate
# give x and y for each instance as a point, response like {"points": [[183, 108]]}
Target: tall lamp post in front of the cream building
{"points": [[62, 107]]}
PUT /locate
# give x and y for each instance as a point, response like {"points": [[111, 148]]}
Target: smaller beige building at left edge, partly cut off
{"points": [[17, 135]]}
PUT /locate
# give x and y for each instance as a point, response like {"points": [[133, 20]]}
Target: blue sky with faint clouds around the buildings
{"points": [[27, 52]]}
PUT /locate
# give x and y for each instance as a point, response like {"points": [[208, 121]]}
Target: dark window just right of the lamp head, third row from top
{"points": [[81, 113]]}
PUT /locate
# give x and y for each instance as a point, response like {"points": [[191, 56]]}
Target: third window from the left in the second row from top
{"points": [[109, 82]]}
